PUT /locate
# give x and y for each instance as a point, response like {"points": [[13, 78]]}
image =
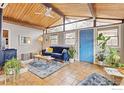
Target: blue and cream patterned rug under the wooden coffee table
{"points": [[44, 69]]}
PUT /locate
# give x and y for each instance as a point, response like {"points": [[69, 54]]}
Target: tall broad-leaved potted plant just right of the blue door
{"points": [[102, 48]]}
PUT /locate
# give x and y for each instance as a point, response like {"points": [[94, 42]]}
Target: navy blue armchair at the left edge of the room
{"points": [[7, 54]]}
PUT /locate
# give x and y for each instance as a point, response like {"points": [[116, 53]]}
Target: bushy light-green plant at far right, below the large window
{"points": [[113, 58]]}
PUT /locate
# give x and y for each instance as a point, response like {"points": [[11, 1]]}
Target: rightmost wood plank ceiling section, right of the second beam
{"points": [[115, 11]]}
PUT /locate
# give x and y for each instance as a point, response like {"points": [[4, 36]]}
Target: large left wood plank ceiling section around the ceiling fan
{"points": [[25, 14]]}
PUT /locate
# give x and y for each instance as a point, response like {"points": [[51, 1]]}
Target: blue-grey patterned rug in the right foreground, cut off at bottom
{"points": [[97, 80]]}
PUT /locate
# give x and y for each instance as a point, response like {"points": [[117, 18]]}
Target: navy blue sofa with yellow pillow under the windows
{"points": [[57, 53]]}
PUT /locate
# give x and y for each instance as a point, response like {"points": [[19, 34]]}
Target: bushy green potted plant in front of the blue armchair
{"points": [[12, 66]]}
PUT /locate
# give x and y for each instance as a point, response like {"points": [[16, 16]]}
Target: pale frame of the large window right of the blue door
{"points": [[110, 28]]}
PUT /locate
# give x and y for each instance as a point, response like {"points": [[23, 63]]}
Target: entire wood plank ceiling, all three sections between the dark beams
{"points": [[22, 13]]}
